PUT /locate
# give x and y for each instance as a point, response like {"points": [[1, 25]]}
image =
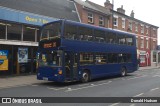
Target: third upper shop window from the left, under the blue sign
{"points": [[29, 33]]}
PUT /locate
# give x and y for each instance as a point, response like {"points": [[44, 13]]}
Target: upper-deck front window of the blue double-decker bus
{"points": [[51, 31]]}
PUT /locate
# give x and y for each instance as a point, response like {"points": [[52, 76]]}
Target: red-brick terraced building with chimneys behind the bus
{"points": [[146, 33]]}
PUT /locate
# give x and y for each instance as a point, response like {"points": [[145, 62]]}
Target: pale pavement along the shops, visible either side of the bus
{"points": [[15, 81]]}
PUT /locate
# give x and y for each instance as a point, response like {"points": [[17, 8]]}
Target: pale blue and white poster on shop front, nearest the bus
{"points": [[22, 55]]}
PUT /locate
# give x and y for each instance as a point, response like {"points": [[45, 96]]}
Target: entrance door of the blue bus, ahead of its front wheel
{"points": [[71, 65]]}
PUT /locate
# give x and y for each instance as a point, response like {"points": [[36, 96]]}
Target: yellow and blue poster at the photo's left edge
{"points": [[3, 60]]}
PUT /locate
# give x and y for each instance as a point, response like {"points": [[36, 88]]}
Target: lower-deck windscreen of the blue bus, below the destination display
{"points": [[51, 58]]}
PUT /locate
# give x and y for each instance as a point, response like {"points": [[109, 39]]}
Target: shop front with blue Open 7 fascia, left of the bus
{"points": [[19, 36]]}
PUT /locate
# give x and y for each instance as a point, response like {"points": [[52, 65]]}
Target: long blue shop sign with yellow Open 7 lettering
{"points": [[23, 17]]}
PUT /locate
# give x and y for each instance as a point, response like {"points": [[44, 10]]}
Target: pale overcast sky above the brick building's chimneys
{"points": [[145, 10]]}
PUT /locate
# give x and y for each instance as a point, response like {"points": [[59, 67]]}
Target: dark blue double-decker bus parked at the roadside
{"points": [[72, 51]]}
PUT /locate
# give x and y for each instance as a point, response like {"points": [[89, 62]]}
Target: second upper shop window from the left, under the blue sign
{"points": [[14, 31]]}
